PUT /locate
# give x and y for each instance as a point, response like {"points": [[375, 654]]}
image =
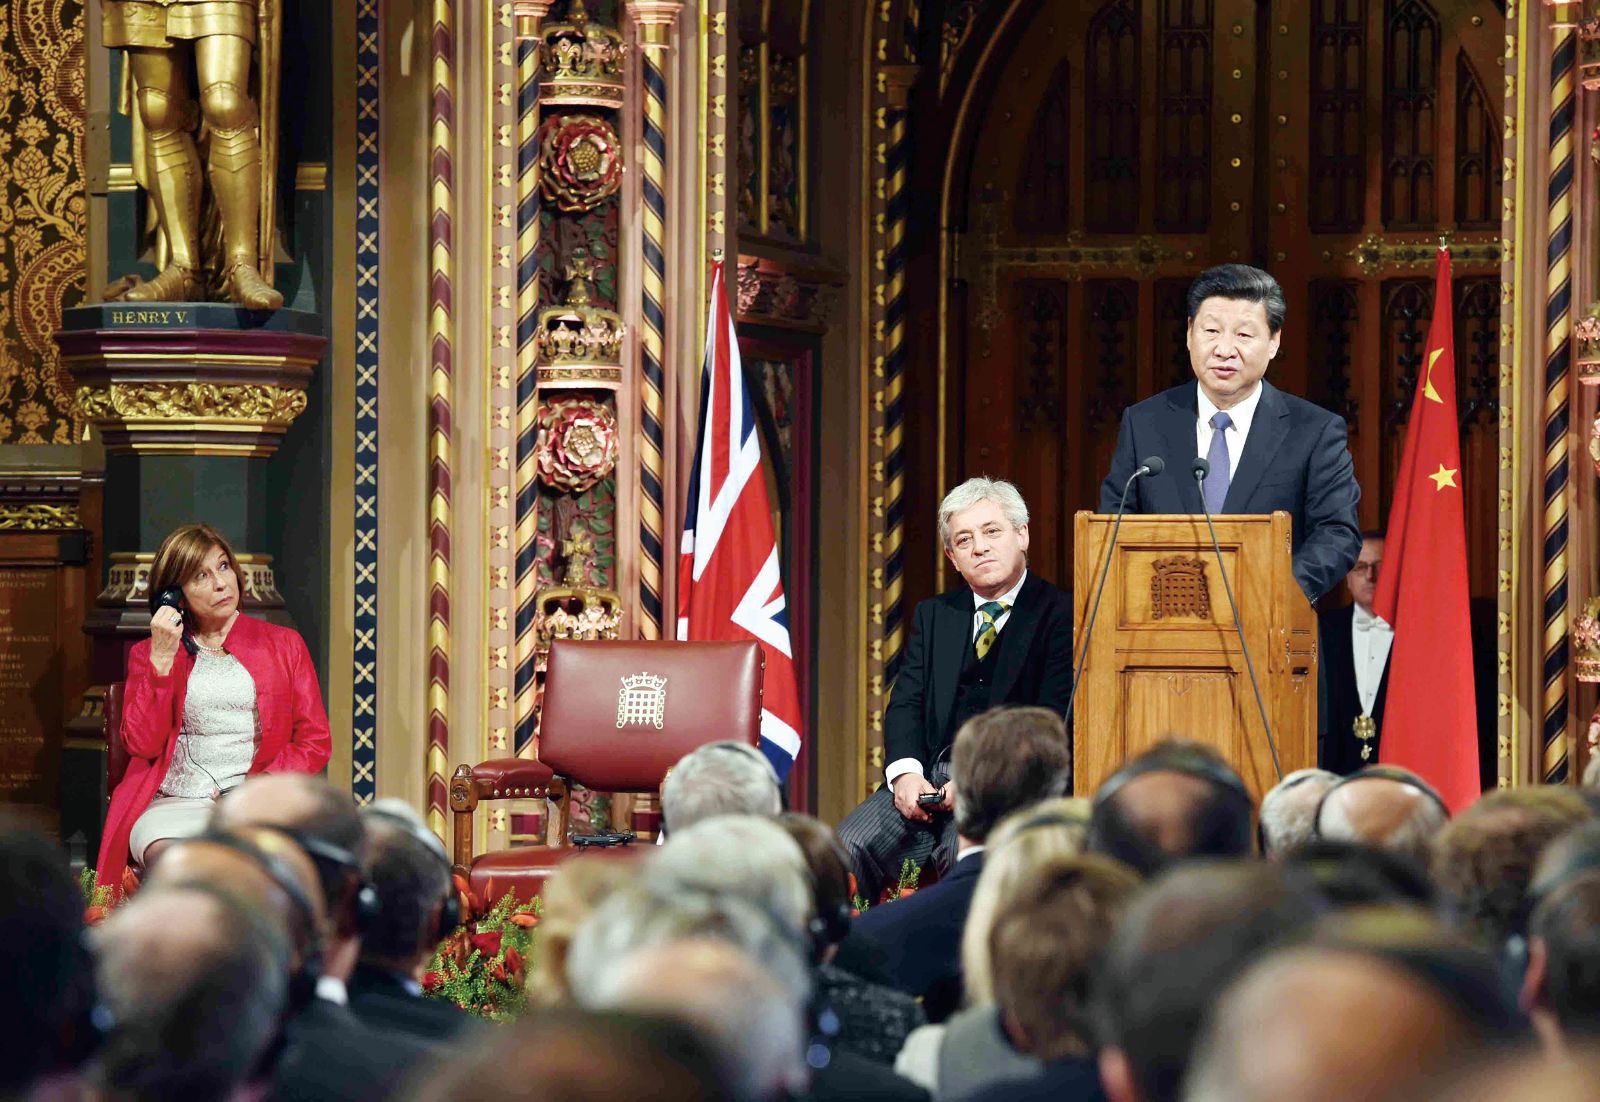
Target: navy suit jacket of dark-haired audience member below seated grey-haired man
{"points": [[921, 936]]}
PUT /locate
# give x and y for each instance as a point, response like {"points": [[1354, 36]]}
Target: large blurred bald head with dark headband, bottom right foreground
{"points": [[1366, 1012]]}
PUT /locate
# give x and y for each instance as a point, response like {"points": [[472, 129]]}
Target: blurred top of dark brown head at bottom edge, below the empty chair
{"points": [[551, 1058]]}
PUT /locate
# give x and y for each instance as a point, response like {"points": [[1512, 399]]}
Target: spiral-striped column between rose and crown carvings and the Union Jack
{"points": [[654, 20]]}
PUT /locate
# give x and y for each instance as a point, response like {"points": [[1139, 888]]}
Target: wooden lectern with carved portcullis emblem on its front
{"points": [[1166, 661]]}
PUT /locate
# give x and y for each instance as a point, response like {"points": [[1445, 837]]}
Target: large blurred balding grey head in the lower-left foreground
{"points": [[194, 986]]}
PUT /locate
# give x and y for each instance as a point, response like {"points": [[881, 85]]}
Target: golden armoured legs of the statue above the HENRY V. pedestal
{"points": [[215, 39]]}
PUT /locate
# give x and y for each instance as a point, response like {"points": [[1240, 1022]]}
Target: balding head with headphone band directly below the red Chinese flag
{"points": [[1383, 807]]}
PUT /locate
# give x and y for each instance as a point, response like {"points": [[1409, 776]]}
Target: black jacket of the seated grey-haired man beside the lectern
{"points": [[1033, 666]]}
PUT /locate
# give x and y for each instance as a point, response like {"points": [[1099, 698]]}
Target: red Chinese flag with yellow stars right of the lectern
{"points": [[1431, 721]]}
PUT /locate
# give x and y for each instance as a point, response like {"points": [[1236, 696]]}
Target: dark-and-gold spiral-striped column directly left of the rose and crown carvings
{"points": [[526, 479]]}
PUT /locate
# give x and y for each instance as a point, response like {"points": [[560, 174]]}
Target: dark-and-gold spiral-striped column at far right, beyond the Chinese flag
{"points": [[1558, 385]]}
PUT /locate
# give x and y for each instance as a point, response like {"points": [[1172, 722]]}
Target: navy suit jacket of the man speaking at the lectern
{"points": [[1295, 460]]}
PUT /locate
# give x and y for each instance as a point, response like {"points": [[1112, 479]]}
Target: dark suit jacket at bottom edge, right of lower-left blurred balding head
{"points": [[330, 1055]]}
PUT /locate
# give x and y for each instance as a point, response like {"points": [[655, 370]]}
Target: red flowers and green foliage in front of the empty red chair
{"points": [[482, 967]]}
